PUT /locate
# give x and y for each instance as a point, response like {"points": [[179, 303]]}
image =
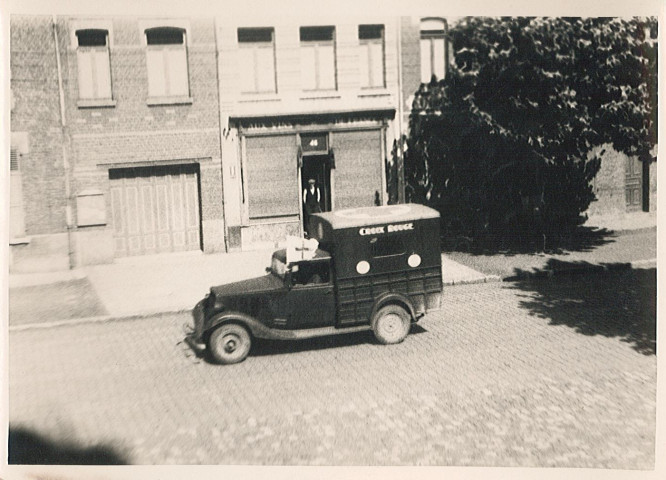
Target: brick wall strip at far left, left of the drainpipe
{"points": [[36, 110]]}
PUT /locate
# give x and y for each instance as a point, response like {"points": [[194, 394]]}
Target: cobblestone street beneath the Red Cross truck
{"points": [[555, 372]]}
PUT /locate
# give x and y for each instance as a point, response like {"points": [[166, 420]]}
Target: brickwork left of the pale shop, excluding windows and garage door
{"points": [[119, 134]]}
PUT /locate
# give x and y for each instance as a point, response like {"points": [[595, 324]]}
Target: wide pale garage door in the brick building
{"points": [[155, 209]]}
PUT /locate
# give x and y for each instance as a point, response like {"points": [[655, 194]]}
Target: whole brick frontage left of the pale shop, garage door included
{"points": [[115, 125]]}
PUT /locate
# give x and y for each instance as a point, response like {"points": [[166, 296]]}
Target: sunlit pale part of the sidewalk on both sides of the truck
{"points": [[143, 286]]}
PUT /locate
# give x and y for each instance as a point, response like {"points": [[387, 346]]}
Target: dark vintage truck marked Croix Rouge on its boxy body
{"points": [[374, 268]]}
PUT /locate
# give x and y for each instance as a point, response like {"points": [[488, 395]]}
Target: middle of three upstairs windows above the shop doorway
{"points": [[318, 58]]}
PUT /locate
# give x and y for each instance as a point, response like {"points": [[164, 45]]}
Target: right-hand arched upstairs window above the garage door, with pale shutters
{"points": [[166, 57]]}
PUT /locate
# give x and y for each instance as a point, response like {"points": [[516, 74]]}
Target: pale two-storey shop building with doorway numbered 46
{"points": [[298, 101]]}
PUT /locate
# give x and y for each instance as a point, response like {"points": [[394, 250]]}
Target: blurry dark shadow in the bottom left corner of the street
{"points": [[27, 447]]}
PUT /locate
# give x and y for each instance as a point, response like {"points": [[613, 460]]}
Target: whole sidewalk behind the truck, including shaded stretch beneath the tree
{"points": [[144, 286]]}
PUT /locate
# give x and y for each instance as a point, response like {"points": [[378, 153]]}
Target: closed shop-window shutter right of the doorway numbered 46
{"points": [[358, 168]]}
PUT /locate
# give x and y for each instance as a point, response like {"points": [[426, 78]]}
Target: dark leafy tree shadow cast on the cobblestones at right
{"points": [[620, 305]]}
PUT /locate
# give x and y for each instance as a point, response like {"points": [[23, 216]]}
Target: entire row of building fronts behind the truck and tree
{"points": [[133, 136]]}
